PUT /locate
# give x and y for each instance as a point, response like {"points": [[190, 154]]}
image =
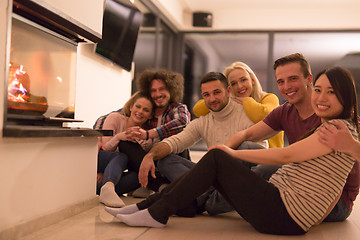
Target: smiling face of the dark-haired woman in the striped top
{"points": [[324, 100]]}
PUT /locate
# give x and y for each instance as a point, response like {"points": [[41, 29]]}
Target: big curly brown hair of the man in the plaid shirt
{"points": [[174, 82]]}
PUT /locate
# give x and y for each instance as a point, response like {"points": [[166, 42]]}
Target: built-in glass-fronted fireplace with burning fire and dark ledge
{"points": [[42, 72]]}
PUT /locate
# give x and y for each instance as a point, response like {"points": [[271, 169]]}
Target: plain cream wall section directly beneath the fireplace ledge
{"points": [[42, 176]]}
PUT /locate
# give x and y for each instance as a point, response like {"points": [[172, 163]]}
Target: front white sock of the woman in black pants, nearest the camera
{"points": [[140, 219]]}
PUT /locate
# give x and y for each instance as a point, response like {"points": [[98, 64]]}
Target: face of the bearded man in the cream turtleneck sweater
{"points": [[215, 95]]}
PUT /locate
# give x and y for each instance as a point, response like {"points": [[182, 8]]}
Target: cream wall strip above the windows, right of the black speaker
{"points": [[299, 18]]}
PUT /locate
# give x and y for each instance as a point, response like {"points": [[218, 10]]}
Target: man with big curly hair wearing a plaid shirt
{"points": [[166, 88]]}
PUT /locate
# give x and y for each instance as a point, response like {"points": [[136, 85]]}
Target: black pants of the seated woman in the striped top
{"points": [[255, 199]]}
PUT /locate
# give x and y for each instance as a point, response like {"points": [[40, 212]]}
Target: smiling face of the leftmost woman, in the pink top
{"points": [[141, 111]]}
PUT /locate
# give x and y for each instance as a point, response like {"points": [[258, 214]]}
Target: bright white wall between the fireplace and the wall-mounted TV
{"points": [[101, 86]]}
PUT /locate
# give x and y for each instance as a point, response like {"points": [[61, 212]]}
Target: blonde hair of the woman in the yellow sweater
{"points": [[257, 92]]}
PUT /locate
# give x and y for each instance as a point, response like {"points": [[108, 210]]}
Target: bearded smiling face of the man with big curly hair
{"points": [[159, 93]]}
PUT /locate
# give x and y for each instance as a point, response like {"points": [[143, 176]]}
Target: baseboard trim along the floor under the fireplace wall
{"points": [[37, 224]]}
